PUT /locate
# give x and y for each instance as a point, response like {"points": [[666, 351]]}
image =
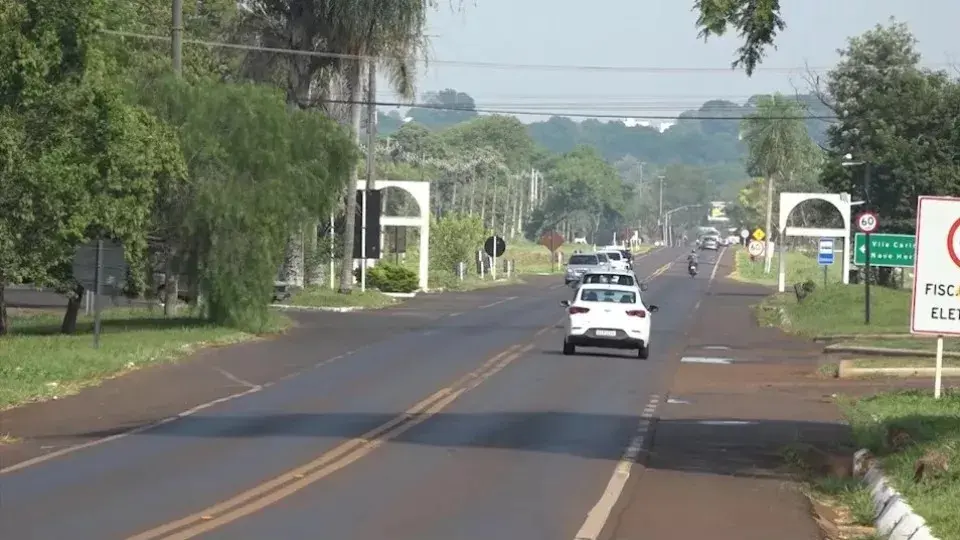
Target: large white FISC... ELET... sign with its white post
{"points": [[935, 309]]}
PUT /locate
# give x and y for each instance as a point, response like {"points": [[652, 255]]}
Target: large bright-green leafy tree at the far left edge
{"points": [[77, 161]]}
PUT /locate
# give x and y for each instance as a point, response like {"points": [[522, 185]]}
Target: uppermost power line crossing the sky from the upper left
{"points": [[466, 63]]}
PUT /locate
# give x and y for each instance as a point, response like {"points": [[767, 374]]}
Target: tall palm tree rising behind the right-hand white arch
{"points": [[778, 144]]}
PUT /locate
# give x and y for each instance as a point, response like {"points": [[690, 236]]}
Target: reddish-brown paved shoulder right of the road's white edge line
{"points": [[716, 466]]}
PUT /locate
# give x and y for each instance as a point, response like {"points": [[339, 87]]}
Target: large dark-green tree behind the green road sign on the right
{"points": [[899, 118]]}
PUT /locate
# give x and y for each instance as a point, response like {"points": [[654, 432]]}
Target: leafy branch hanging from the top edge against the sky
{"points": [[756, 21]]}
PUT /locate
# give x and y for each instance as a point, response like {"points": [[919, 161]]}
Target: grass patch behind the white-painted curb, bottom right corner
{"points": [[933, 425]]}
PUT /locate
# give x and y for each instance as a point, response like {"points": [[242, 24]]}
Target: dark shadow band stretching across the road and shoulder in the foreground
{"points": [[731, 446]]}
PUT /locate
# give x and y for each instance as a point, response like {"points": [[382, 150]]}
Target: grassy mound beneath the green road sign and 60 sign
{"points": [[839, 310]]}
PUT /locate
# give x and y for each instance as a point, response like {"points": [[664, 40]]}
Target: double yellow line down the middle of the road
{"points": [[348, 452]]}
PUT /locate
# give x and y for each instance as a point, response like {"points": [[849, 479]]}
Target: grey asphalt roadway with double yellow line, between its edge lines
{"points": [[473, 426]]}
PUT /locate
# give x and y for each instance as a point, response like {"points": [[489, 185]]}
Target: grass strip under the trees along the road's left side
{"points": [[37, 363]]}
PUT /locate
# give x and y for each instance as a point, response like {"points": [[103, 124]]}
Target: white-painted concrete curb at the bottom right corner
{"points": [[892, 516]]}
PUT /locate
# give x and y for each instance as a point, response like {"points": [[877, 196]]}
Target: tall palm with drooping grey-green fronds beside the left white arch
{"points": [[391, 31]]}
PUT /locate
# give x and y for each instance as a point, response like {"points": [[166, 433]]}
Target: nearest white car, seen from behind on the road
{"points": [[609, 317]]}
